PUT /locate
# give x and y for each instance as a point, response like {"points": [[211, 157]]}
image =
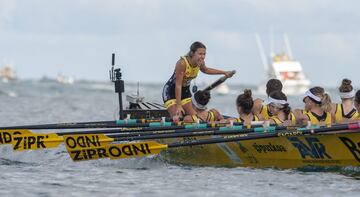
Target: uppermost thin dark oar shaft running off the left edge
{"points": [[99, 124]]}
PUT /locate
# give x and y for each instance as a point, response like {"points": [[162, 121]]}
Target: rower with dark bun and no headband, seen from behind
{"points": [[244, 105]]}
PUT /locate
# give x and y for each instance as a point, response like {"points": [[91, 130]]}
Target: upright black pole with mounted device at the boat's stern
{"points": [[115, 76]]}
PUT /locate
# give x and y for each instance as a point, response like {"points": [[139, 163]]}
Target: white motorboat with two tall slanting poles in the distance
{"points": [[283, 67]]}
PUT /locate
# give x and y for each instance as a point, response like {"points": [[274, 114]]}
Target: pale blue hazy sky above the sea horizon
{"points": [[77, 37]]}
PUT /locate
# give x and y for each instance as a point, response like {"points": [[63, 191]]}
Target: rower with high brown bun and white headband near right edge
{"points": [[345, 111]]}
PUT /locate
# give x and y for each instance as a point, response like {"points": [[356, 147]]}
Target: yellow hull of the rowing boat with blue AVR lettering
{"points": [[335, 149]]}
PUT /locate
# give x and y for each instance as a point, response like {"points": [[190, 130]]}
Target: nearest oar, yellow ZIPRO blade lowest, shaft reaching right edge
{"points": [[117, 151]]}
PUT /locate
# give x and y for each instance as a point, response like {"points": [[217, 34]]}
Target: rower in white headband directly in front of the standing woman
{"points": [[199, 101]]}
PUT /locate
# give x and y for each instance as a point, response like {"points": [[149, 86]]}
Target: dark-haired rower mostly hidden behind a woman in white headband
{"points": [[259, 106]]}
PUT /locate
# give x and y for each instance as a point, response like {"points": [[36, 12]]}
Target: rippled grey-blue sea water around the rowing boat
{"points": [[52, 173]]}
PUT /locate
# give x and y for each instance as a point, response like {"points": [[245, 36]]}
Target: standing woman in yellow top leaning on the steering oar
{"points": [[176, 93]]}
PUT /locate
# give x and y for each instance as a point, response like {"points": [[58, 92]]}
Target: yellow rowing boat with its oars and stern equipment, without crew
{"points": [[195, 144]]}
